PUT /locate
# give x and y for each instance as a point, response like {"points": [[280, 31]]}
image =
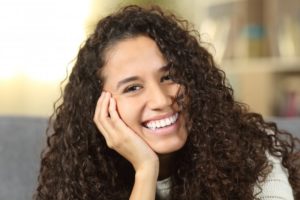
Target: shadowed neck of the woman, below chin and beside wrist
{"points": [[166, 165]]}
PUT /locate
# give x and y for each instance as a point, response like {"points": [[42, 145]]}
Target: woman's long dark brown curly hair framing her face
{"points": [[225, 153]]}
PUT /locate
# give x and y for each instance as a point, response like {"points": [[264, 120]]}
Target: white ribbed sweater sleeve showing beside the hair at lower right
{"points": [[276, 186]]}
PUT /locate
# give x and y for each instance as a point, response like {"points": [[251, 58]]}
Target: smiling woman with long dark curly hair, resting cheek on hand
{"points": [[147, 114]]}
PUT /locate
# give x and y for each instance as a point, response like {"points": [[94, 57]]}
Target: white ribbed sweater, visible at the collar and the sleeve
{"points": [[275, 187]]}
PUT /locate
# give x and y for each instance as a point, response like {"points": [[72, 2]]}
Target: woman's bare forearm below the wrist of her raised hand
{"points": [[145, 184]]}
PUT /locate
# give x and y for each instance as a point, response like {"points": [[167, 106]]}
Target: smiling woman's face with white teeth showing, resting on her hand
{"points": [[137, 75]]}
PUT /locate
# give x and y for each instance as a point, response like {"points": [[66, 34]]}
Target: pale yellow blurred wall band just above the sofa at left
{"points": [[21, 96]]}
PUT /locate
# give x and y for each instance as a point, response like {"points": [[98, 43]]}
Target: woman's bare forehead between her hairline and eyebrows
{"points": [[132, 55]]}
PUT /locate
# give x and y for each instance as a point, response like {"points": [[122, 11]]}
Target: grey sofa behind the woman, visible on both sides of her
{"points": [[21, 142]]}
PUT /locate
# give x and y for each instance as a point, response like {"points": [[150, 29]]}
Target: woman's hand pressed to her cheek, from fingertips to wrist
{"points": [[121, 138]]}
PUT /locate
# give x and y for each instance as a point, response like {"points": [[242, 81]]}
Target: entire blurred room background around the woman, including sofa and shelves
{"points": [[256, 42]]}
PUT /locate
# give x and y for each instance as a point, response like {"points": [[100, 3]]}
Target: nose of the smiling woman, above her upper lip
{"points": [[160, 97]]}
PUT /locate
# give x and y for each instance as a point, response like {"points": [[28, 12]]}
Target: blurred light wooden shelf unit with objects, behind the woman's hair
{"points": [[255, 44]]}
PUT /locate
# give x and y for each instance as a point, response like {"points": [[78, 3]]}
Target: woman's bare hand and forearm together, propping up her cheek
{"points": [[127, 143]]}
